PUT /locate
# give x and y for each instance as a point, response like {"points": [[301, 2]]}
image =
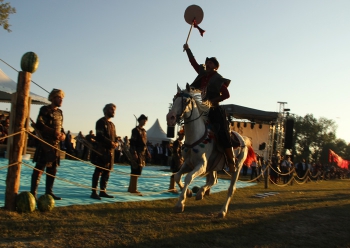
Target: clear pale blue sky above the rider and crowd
{"points": [[130, 53]]}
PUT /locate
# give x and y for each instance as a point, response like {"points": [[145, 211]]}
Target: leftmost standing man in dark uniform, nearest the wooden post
{"points": [[49, 124]]}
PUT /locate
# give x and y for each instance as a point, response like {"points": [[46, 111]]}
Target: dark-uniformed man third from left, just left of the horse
{"points": [[138, 149]]}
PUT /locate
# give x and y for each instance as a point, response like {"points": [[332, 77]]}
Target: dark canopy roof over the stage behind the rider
{"points": [[254, 115]]}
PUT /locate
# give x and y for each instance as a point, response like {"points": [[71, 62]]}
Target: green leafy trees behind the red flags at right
{"points": [[313, 138]]}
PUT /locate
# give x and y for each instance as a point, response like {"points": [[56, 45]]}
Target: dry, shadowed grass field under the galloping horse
{"points": [[307, 215]]}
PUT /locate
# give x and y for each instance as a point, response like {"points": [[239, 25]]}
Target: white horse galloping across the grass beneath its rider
{"points": [[199, 146]]}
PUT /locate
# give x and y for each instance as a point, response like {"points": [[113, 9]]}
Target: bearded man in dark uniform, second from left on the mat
{"points": [[105, 144]]}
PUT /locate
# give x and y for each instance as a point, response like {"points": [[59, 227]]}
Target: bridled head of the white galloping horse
{"points": [[183, 104]]}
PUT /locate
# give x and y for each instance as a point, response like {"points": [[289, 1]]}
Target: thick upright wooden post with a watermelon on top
{"points": [[16, 149]]}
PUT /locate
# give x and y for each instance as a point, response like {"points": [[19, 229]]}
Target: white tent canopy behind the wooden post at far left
{"points": [[8, 87]]}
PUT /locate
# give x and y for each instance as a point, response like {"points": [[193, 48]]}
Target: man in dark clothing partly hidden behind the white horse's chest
{"points": [[177, 159]]}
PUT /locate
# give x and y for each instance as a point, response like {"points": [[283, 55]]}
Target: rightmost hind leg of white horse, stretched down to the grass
{"points": [[234, 178]]}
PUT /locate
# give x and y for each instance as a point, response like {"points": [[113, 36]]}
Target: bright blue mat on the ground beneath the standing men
{"points": [[73, 183]]}
